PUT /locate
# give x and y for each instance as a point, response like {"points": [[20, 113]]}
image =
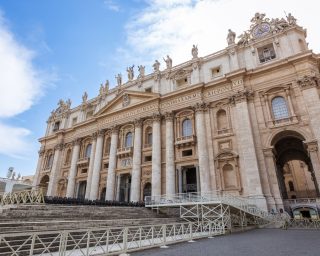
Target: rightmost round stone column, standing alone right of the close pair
{"points": [[202, 148]]}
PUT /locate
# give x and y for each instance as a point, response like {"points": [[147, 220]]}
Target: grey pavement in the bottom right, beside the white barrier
{"points": [[261, 242]]}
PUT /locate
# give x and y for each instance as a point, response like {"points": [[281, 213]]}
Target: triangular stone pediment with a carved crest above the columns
{"points": [[126, 99]]}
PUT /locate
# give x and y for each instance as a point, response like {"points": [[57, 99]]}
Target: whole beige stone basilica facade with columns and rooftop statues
{"points": [[244, 120]]}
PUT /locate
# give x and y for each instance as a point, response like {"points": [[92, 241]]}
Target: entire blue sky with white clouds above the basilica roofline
{"points": [[58, 49]]}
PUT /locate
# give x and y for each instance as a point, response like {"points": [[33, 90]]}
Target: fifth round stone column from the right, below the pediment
{"points": [[112, 164]]}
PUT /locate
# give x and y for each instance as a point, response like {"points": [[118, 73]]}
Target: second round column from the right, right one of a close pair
{"points": [[170, 170]]}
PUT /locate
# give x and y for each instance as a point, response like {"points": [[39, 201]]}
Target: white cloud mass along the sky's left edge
{"points": [[21, 85]]}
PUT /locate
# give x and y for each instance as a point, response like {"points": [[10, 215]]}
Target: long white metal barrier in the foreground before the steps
{"points": [[107, 241]]}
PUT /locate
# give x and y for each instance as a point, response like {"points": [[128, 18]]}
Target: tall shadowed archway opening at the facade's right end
{"points": [[295, 173]]}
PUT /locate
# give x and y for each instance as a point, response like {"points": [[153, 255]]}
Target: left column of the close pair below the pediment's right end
{"points": [[156, 156]]}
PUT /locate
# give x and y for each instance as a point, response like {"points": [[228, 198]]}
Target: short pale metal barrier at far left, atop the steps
{"points": [[22, 197]]}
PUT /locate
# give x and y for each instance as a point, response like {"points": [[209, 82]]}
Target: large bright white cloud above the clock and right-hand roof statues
{"points": [[173, 26]]}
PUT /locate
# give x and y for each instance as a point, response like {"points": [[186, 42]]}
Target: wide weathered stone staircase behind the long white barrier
{"points": [[49, 217]]}
